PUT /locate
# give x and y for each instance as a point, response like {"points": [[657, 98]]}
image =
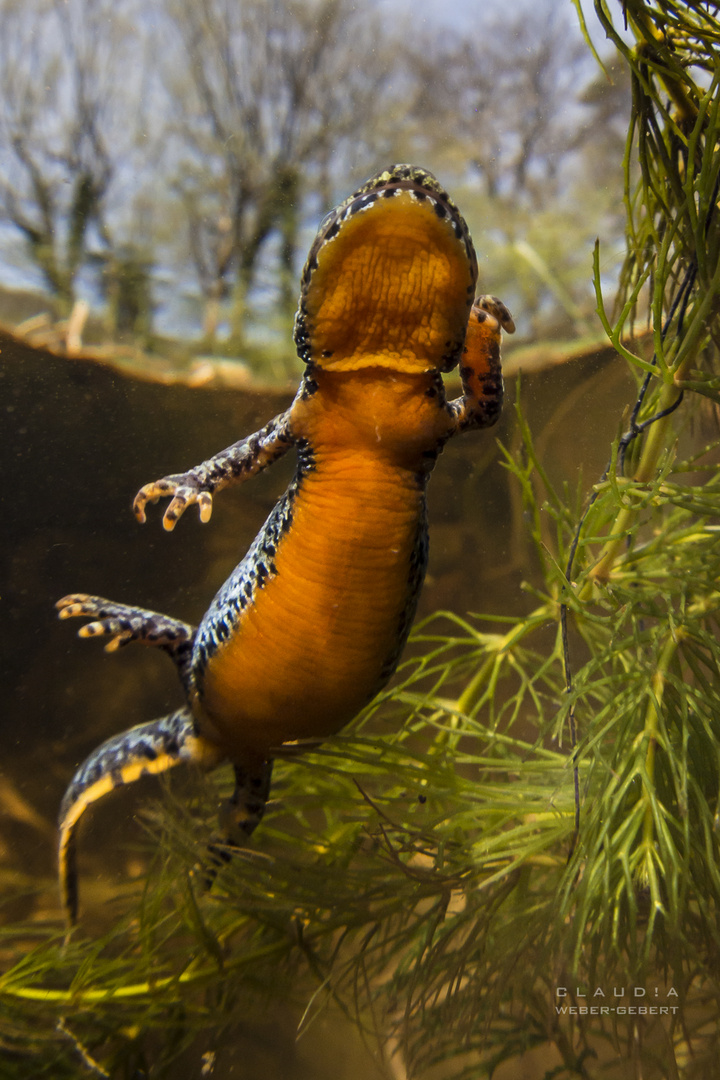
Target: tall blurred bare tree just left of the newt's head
{"points": [[275, 90]]}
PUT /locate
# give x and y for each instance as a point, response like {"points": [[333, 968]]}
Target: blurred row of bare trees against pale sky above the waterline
{"points": [[169, 160]]}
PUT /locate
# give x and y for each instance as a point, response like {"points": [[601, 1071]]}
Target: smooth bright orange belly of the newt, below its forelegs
{"points": [[309, 653]]}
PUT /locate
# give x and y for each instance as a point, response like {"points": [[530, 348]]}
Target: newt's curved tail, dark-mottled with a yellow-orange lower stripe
{"points": [[152, 748]]}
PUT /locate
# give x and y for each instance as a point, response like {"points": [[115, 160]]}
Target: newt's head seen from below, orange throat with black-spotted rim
{"points": [[390, 279]]}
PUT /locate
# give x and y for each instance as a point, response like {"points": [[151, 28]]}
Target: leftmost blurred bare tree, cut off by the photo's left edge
{"points": [[60, 131]]}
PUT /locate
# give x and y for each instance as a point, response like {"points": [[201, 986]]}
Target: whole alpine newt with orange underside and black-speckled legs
{"points": [[311, 624]]}
